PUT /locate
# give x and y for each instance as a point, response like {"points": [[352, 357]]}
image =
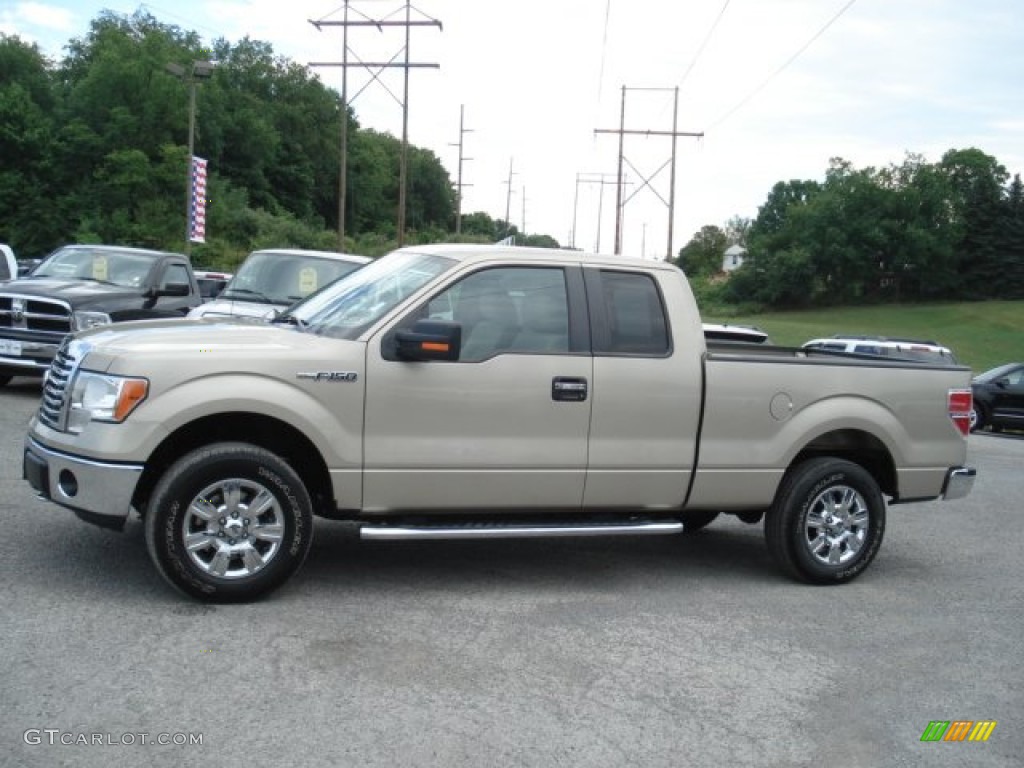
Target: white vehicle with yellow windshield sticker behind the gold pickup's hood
{"points": [[273, 280]]}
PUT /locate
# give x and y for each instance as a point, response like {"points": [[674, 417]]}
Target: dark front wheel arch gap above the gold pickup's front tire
{"points": [[269, 433]]}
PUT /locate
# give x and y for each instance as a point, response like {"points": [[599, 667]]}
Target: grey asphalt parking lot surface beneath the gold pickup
{"points": [[651, 652]]}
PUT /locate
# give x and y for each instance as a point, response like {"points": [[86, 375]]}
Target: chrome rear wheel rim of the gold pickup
{"points": [[836, 527]]}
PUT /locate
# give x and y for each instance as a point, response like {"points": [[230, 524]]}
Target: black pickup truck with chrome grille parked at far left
{"points": [[80, 287]]}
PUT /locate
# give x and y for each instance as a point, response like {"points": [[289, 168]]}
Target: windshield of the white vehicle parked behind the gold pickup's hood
{"points": [[273, 278]]}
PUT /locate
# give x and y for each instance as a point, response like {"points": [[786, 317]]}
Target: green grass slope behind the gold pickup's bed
{"points": [[983, 334]]}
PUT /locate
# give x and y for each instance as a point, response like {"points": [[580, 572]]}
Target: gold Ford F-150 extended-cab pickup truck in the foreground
{"points": [[480, 392]]}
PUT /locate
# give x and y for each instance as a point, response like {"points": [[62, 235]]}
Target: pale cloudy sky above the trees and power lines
{"points": [[776, 89]]}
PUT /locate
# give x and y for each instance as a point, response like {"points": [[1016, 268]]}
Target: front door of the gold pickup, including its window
{"points": [[506, 430]]}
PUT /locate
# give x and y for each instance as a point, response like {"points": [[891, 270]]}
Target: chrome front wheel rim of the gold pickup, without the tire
{"points": [[233, 529]]}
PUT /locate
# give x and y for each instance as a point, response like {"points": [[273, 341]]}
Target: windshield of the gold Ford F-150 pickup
{"points": [[352, 306]]}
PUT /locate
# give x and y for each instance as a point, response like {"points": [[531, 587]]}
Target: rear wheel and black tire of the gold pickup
{"points": [[831, 549]]}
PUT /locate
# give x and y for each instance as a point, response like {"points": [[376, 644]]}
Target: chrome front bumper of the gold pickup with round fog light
{"points": [[98, 492]]}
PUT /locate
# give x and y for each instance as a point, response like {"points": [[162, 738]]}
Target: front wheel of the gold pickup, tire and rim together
{"points": [[246, 514]]}
